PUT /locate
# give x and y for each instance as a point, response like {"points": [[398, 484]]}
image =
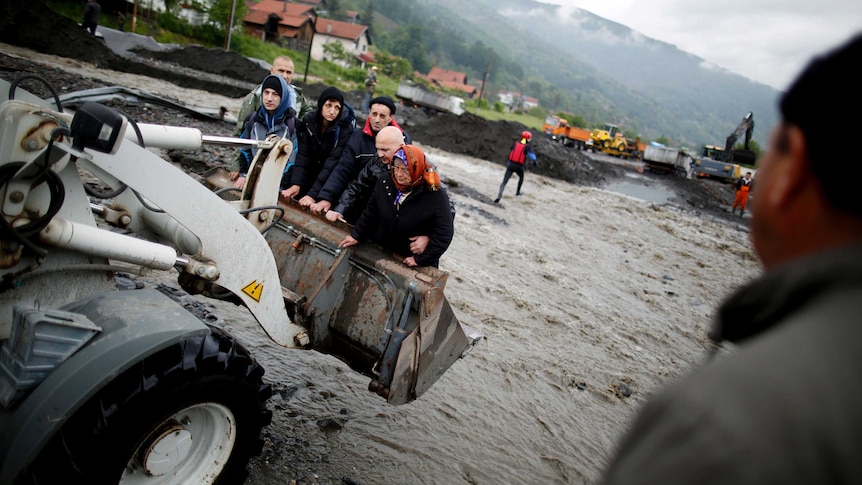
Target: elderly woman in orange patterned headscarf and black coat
{"points": [[406, 204]]}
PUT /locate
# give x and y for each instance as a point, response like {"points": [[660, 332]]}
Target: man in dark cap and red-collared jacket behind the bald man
{"points": [[359, 151]]}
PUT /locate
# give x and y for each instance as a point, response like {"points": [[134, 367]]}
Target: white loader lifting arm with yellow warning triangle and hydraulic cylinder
{"points": [[224, 248]]}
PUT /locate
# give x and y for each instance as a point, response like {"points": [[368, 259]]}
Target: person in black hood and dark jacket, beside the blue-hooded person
{"points": [[322, 135]]}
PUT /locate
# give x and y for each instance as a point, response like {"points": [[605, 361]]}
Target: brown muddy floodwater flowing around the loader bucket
{"points": [[589, 300]]}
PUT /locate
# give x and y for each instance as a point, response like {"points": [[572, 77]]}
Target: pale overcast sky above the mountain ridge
{"points": [[769, 41]]}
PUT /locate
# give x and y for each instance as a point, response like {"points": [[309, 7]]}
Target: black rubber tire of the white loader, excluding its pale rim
{"points": [[104, 435]]}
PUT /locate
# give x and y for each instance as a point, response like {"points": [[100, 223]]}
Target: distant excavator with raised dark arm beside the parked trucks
{"points": [[723, 163]]}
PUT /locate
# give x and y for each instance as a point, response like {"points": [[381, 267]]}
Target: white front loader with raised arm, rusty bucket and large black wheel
{"points": [[102, 381]]}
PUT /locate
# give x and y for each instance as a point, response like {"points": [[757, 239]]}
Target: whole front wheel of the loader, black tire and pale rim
{"points": [[197, 407]]}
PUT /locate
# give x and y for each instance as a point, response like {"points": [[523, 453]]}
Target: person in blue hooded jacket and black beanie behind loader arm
{"points": [[275, 116]]}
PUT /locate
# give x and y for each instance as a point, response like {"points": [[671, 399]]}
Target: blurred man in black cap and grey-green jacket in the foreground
{"points": [[785, 406]]}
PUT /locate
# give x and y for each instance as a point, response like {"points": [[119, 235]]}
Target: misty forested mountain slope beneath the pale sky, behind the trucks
{"points": [[607, 72]]}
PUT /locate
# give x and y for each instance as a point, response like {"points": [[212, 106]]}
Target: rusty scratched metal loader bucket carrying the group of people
{"points": [[362, 305]]}
